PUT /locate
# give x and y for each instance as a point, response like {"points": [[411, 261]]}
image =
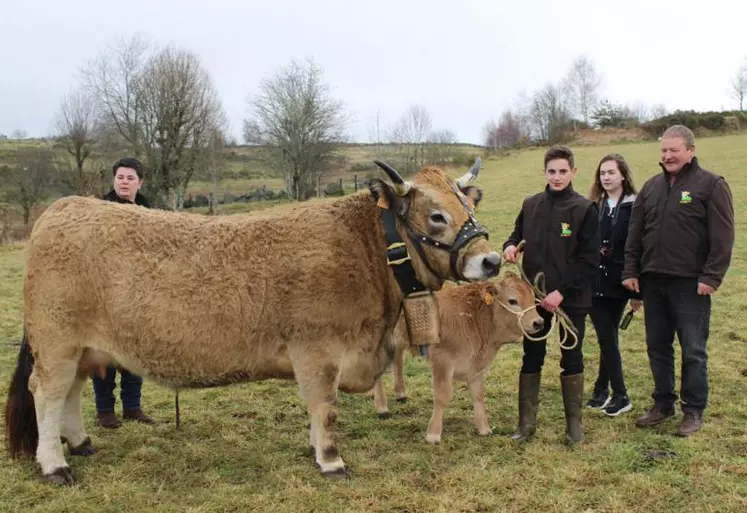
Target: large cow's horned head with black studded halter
{"points": [[436, 221]]}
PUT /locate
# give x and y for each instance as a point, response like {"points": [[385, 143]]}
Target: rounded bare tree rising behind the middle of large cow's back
{"points": [[299, 125]]}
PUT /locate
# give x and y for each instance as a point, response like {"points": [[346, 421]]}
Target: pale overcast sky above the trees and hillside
{"points": [[464, 60]]}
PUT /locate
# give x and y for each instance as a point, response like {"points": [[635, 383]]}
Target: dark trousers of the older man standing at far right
{"points": [[672, 305]]}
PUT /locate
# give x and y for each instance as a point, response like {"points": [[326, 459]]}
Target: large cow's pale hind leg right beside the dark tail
{"points": [[50, 385]]}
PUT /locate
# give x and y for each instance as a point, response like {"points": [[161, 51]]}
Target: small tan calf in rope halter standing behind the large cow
{"points": [[476, 320]]}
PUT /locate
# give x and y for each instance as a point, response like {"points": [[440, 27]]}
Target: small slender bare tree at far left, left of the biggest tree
{"points": [[76, 130]]}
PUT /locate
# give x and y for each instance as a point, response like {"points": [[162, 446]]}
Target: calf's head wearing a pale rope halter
{"points": [[514, 297]]}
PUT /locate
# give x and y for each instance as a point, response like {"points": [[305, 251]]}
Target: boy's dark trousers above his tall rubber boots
{"points": [[571, 361]]}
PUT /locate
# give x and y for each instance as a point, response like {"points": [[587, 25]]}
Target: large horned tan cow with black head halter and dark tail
{"points": [[198, 301]]}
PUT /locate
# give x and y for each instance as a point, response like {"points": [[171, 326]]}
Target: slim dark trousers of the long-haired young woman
{"points": [[605, 316]]}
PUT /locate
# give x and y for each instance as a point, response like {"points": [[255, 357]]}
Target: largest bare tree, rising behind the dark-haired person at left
{"points": [[158, 105]]}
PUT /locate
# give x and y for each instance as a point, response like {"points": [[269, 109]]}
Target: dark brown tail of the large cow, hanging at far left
{"points": [[21, 432]]}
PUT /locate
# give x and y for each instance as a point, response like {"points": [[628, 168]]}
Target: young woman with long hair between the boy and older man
{"points": [[614, 193]]}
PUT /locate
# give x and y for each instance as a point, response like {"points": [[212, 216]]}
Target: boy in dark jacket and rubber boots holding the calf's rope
{"points": [[560, 228]]}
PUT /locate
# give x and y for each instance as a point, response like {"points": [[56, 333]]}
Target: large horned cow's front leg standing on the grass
{"points": [[318, 385]]}
